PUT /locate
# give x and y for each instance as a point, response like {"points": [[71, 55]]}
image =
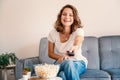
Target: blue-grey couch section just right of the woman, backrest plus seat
{"points": [[90, 51]]}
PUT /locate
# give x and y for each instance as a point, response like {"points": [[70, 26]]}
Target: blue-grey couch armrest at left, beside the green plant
{"points": [[22, 63]]}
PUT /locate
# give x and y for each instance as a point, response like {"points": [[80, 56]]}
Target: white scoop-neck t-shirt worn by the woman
{"points": [[62, 47]]}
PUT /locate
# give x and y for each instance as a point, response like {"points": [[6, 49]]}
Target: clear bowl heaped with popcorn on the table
{"points": [[46, 70]]}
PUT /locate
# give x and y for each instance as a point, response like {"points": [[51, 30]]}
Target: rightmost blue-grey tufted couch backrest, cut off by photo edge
{"points": [[109, 52]]}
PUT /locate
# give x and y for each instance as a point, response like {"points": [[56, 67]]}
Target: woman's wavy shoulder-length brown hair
{"points": [[76, 24]]}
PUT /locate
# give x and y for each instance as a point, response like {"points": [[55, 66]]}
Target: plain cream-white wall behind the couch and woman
{"points": [[24, 22]]}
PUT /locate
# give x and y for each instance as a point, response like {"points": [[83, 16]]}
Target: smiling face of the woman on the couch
{"points": [[67, 17]]}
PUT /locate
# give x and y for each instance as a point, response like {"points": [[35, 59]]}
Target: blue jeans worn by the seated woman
{"points": [[71, 69]]}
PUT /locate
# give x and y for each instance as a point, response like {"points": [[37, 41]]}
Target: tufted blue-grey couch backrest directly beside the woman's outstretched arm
{"points": [[90, 51]]}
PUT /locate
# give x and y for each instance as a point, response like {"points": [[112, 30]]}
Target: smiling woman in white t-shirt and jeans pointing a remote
{"points": [[67, 36]]}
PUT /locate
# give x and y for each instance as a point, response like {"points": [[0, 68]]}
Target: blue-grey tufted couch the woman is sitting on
{"points": [[103, 56]]}
